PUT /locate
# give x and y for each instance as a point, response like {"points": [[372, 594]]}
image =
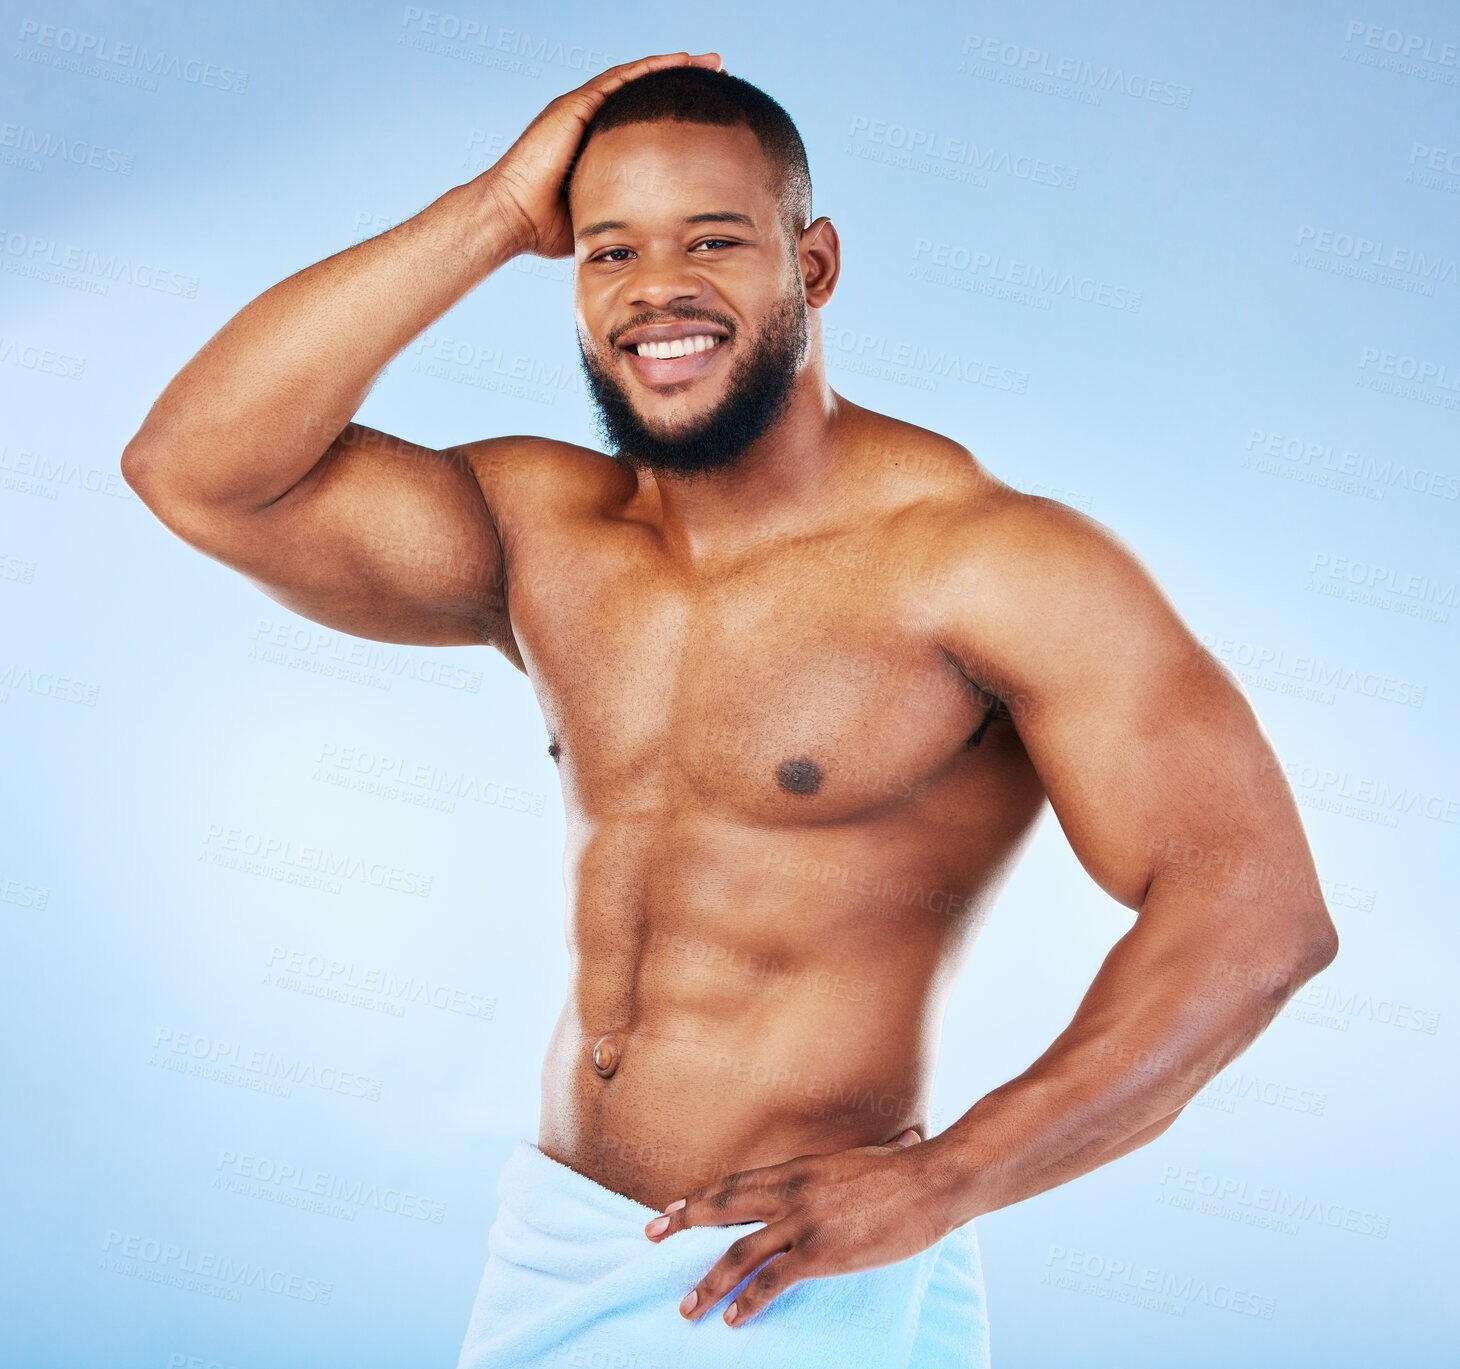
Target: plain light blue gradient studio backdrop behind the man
{"points": [[116, 928]]}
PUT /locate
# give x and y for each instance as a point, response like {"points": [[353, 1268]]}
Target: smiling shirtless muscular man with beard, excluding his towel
{"points": [[796, 660]]}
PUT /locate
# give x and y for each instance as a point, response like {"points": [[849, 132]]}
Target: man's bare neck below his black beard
{"points": [[779, 484]]}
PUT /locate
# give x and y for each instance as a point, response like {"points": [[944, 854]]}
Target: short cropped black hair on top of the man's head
{"points": [[699, 96]]}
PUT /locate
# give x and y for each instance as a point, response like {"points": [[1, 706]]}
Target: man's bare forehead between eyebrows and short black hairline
{"points": [[650, 174]]}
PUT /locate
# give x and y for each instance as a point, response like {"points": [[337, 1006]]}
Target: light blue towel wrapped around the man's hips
{"points": [[573, 1284]]}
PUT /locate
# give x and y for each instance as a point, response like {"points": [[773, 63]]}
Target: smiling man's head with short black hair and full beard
{"points": [[691, 204]]}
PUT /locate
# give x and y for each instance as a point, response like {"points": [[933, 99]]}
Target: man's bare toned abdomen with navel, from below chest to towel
{"points": [[757, 999]]}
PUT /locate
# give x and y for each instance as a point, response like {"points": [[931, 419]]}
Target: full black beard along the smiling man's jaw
{"points": [[758, 393]]}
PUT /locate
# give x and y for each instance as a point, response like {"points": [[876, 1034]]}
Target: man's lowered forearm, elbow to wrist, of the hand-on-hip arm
{"points": [[1179, 998]]}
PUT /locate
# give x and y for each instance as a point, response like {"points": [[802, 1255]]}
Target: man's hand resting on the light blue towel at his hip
{"points": [[826, 1215]]}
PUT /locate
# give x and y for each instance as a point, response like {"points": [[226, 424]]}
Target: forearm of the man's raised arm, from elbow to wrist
{"points": [[262, 402]]}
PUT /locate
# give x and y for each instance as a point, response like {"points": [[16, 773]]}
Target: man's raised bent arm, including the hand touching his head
{"points": [[250, 453]]}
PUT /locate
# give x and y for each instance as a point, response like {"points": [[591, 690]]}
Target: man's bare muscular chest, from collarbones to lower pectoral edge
{"points": [[780, 694]]}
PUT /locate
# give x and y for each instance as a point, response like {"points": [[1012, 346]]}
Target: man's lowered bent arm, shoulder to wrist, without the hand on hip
{"points": [[1173, 802]]}
